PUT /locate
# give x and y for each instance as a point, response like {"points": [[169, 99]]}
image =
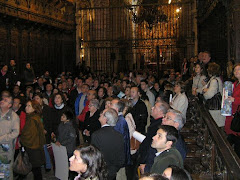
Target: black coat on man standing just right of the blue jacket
{"points": [[140, 114]]}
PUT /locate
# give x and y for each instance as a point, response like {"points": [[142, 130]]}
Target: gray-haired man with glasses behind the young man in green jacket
{"points": [[172, 118]]}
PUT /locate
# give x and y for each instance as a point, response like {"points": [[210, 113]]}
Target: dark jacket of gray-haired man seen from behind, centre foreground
{"points": [[111, 144]]}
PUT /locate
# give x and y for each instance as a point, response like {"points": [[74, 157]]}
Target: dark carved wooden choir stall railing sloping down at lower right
{"points": [[217, 160]]}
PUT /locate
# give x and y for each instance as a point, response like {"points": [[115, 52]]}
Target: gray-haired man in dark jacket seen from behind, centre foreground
{"points": [[110, 142]]}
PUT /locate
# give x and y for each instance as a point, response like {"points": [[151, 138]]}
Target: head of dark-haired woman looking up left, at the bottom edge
{"points": [[88, 162]]}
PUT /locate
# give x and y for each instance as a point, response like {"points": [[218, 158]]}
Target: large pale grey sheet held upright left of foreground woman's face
{"points": [[61, 161]]}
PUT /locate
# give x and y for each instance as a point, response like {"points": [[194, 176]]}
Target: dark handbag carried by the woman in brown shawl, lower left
{"points": [[22, 164]]}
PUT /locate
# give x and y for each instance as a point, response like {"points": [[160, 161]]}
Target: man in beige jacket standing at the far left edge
{"points": [[9, 131]]}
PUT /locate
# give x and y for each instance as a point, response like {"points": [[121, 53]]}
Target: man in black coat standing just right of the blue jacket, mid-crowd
{"points": [[139, 111]]}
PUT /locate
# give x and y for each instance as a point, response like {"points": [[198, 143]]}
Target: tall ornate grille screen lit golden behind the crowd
{"points": [[120, 35]]}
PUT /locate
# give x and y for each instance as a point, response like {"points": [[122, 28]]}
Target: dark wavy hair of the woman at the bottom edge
{"points": [[96, 166]]}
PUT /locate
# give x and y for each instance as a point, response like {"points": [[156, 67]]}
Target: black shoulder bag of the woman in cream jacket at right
{"points": [[215, 102]]}
